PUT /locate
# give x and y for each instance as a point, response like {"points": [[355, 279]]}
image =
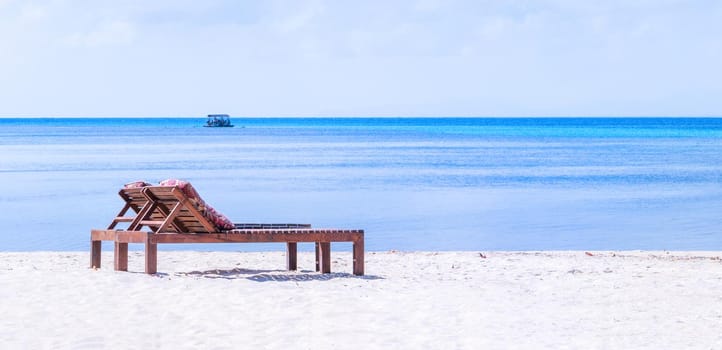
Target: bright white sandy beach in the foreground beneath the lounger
{"points": [[455, 300]]}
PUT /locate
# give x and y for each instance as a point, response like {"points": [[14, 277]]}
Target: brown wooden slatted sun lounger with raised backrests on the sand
{"points": [[171, 217]]}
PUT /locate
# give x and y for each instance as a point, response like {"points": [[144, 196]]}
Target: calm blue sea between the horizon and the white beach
{"points": [[412, 183]]}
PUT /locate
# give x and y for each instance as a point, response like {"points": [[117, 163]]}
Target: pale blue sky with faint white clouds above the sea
{"points": [[338, 58]]}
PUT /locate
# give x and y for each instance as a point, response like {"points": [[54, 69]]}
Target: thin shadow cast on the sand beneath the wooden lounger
{"points": [[273, 275]]}
